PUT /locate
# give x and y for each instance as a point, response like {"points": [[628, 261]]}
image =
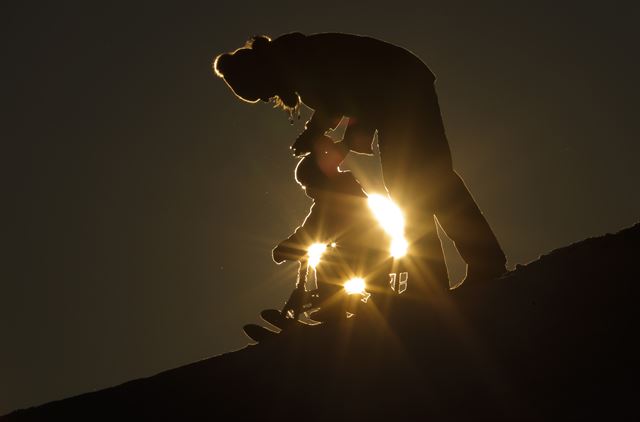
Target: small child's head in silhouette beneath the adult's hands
{"points": [[318, 172]]}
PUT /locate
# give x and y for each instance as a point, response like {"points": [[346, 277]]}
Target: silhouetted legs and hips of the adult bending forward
{"points": [[418, 171]]}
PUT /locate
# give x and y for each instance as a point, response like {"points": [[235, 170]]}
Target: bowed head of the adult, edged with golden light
{"points": [[256, 72]]}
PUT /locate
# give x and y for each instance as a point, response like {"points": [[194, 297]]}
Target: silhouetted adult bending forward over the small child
{"points": [[383, 88]]}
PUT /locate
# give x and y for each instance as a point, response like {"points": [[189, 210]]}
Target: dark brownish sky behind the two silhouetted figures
{"points": [[140, 199]]}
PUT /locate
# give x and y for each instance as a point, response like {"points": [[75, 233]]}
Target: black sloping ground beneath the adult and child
{"points": [[554, 339]]}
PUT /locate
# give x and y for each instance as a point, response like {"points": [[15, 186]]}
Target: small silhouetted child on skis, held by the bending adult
{"points": [[339, 218]]}
